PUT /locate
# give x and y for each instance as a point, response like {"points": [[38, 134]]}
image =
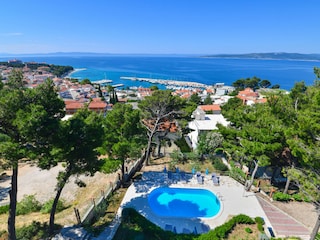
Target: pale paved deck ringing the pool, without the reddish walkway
{"points": [[234, 200]]}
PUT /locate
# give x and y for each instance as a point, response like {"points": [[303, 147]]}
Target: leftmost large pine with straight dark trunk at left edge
{"points": [[28, 120]]}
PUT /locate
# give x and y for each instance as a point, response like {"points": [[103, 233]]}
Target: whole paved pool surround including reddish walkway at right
{"points": [[234, 200]]}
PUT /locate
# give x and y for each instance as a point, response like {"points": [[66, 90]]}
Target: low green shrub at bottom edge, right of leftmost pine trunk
{"points": [[34, 231]]}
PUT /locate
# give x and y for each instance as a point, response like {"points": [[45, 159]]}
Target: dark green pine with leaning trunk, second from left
{"points": [[79, 138]]}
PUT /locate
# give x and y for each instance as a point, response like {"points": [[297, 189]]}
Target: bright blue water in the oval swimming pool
{"points": [[183, 202]]}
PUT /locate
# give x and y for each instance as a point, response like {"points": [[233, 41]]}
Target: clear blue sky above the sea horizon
{"points": [[159, 26]]}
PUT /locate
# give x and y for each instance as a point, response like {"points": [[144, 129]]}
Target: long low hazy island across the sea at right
{"points": [[275, 55]]}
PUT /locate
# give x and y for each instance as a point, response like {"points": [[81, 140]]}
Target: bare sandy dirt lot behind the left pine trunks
{"points": [[41, 183]]}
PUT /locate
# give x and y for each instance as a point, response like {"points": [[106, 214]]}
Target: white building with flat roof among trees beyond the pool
{"points": [[203, 122]]}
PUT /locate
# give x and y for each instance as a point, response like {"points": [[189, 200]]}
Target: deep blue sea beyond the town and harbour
{"points": [[206, 70]]}
